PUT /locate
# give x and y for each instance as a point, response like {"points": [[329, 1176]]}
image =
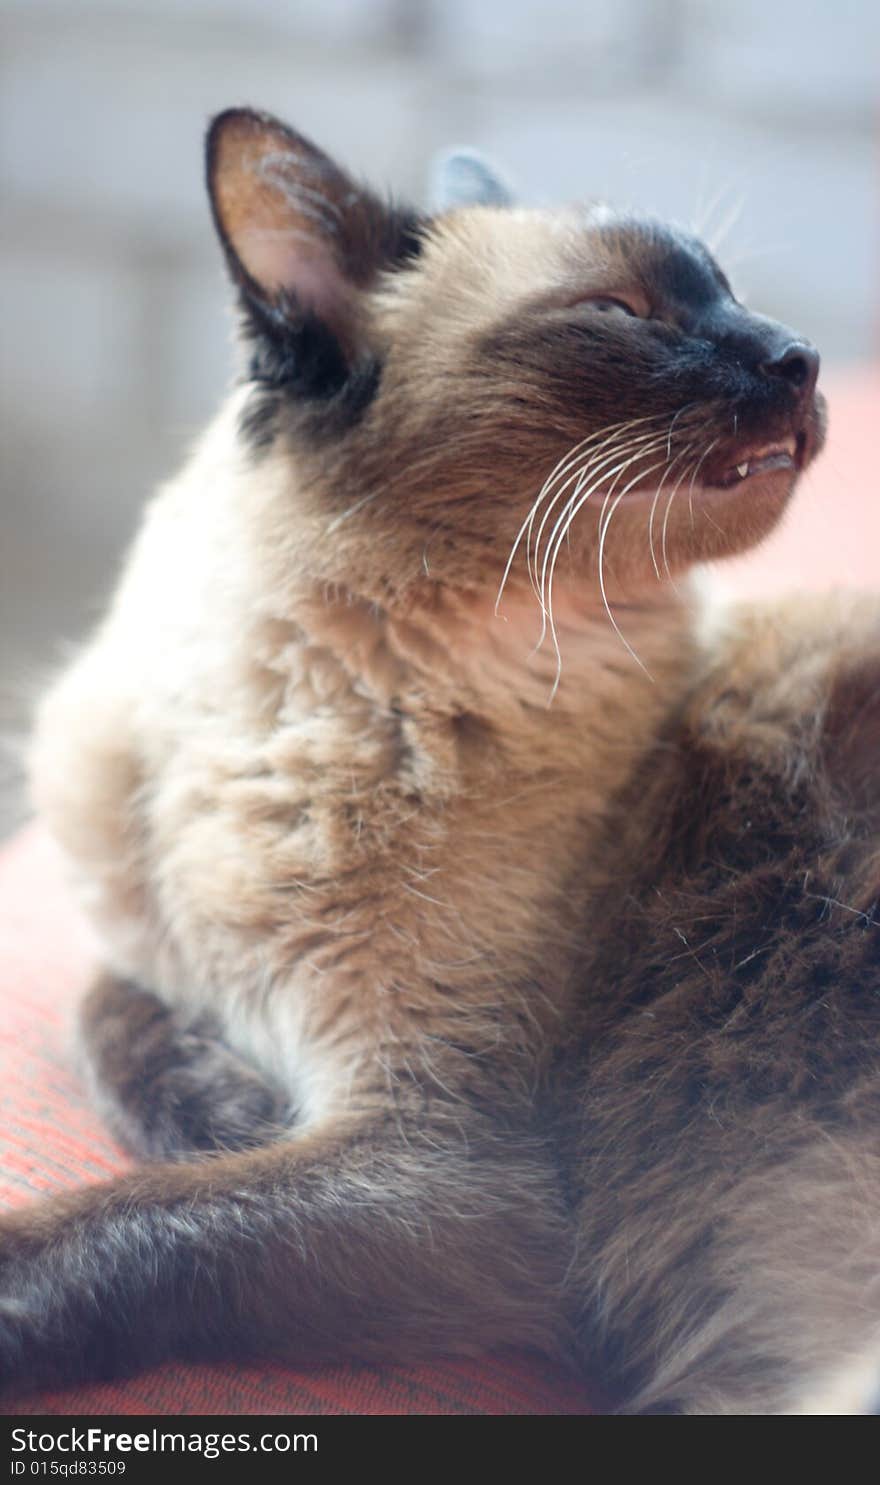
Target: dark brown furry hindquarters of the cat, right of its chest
{"points": [[723, 1100]]}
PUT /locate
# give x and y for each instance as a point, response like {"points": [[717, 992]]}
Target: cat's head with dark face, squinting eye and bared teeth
{"points": [[443, 384]]}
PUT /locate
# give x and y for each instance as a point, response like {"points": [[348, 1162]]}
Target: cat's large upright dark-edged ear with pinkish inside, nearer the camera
{"points": [[301, 237]]}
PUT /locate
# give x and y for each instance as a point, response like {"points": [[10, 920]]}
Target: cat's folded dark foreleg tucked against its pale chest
{"points": [[168, 1088]]}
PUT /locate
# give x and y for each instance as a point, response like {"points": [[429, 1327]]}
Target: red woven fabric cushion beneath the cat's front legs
{"points": [[51, 1138]]}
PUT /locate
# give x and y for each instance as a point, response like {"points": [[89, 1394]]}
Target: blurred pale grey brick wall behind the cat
{"points": [[750, 120]]}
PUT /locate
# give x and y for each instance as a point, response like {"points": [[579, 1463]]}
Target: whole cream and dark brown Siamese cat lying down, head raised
{"points": [[490, 948]]}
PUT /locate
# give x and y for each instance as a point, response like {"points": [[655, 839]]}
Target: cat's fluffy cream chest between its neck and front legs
{"points": [[367, 840]]}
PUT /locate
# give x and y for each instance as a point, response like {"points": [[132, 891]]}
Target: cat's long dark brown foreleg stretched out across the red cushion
{"points": [[372, 1239]]}
